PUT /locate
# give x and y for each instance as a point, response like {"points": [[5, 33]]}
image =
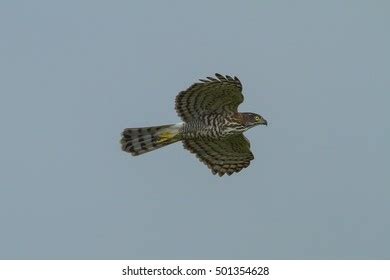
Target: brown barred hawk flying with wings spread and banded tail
{"points": [[212, 128]]}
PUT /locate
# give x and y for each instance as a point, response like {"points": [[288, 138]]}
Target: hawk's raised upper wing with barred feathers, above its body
{"points": [[214, 95]]}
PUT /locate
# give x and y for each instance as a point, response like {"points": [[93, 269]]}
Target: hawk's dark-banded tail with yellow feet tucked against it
{"points": [[138, 141]]}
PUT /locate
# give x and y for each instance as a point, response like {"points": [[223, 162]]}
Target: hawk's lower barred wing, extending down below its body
{"points": [[227, 155]]}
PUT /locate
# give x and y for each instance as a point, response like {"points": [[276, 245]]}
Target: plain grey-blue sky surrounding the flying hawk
{"points": [[75, 73]]}
